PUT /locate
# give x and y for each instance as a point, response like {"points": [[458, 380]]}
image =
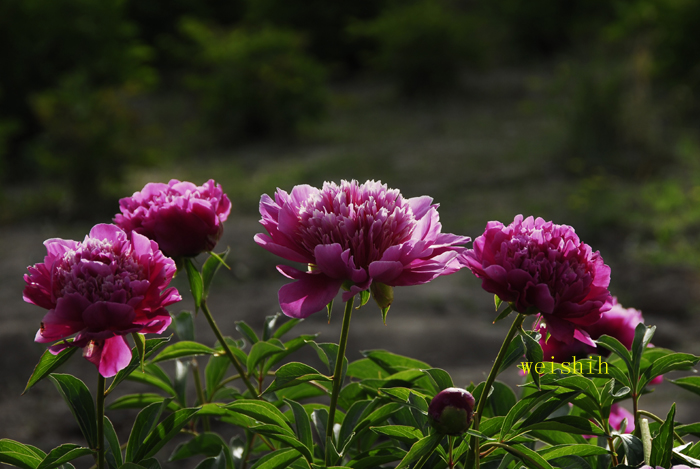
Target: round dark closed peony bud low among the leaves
{"points": [[451, 411]]}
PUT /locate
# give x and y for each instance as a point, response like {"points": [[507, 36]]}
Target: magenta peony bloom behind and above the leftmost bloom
{"points": [[182, 218]]}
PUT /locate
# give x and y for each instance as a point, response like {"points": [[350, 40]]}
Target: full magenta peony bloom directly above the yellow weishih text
{"points": [[538, 266]]}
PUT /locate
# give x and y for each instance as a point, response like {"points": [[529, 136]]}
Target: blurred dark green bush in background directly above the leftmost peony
{"points": [[90, 137]]}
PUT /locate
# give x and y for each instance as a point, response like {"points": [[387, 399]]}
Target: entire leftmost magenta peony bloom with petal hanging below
{"points": [[101, 289]]}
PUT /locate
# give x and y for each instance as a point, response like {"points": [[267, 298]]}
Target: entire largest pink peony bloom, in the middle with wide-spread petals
{"points": [[356, 235]]}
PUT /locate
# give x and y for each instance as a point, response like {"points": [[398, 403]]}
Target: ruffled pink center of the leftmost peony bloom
{"points": [[99, 271]]}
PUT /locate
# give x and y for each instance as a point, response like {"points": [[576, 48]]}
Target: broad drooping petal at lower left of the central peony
{"points": [[308, 295]]}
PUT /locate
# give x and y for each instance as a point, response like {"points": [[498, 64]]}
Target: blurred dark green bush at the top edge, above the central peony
{"points": [[422, 46]]}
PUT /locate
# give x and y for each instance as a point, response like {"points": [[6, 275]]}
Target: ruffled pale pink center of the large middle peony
{"points": [[367, 219]]}
